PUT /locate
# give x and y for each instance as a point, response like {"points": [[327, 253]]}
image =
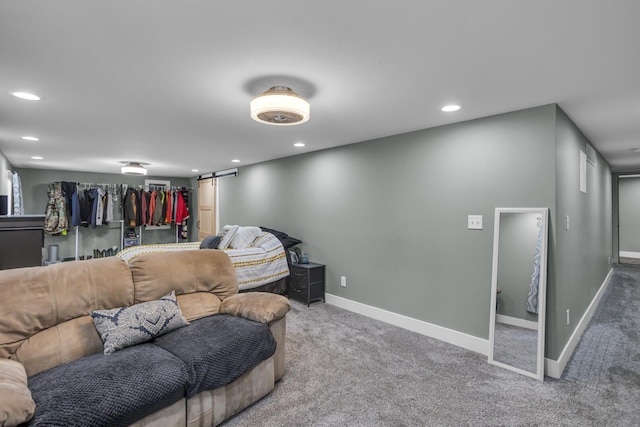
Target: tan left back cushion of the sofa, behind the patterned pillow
{"points": [[44, 315]]}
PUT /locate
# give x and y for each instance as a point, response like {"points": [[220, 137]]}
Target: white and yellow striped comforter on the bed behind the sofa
{"points": [[264, 261]]}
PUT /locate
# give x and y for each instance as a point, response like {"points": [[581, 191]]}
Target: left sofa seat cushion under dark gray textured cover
{"points": [[108, 390]]}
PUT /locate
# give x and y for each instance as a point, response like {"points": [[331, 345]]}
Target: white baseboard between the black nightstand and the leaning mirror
{"points": [[460, 339]]}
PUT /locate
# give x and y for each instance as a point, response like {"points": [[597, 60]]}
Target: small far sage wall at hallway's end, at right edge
{"points": [[629, 214]]}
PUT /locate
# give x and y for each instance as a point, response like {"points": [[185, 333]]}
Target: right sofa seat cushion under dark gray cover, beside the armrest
{"points": [[218, 349]]}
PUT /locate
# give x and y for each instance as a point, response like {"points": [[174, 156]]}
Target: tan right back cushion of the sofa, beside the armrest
{"points": [[201, 279]]}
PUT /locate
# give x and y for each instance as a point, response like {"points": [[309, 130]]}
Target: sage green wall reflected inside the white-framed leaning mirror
{"points": [[518, 239]]}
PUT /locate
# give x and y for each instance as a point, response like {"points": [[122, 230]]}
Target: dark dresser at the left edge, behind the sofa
{"points": [[21, 241]]}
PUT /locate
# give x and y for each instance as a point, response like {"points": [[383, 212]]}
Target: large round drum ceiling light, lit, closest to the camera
{"points": [[280, 106]]}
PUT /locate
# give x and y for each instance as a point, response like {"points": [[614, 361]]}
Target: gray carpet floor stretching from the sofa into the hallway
{"points": [[344, 369]]}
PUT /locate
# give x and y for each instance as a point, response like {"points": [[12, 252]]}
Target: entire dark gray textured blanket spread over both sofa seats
{"points": [[124, 387]]}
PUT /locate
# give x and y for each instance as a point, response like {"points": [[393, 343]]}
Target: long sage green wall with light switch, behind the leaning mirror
{"points": [[391, 214]]}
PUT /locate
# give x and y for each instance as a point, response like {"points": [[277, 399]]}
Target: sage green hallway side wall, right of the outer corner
{"points": [[579, 256]]}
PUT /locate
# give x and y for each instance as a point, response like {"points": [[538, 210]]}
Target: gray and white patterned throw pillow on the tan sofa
{"points": [[127, 326]]}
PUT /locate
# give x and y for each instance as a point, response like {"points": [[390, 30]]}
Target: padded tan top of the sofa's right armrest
{"points": [[258, 306]]}
